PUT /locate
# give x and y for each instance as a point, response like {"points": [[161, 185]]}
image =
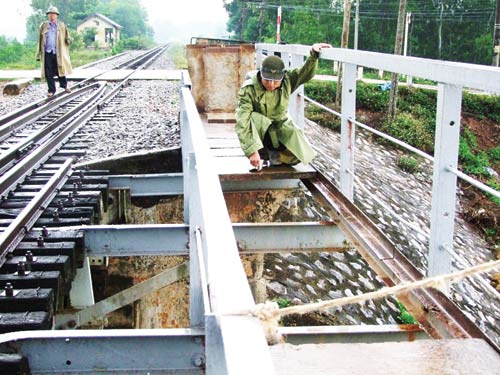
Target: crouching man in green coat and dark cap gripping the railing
{"points": [[263, 126]]}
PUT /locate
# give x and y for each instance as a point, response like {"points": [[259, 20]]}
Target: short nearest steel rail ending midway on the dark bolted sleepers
{"points": [[14, 233]]}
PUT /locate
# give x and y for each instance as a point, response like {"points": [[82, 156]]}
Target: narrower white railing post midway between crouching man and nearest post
{"points": [[347, 134]]}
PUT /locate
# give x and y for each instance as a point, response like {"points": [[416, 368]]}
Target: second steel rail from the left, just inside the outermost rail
{"points": [[14, 151]]}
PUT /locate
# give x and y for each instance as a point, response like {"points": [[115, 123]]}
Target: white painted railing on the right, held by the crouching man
{"points": [[452, 78]]}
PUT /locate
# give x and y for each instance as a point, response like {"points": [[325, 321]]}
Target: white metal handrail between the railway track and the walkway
{"points": [[210, 228]]}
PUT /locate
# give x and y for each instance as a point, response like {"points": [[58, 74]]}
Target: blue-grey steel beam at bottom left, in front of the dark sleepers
{"points": [[130, 351]]}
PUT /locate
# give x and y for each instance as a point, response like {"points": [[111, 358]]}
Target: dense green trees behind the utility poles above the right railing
{"points": [[466, 25]]}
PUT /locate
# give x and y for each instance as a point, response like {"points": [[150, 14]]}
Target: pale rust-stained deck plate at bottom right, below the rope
{"points": [[421, 357]]}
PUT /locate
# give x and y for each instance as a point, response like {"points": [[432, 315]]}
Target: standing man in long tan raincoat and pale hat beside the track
{"points": [[53, 52]]}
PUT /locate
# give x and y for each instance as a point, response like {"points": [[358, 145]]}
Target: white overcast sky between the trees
{"points": [[172, 20]]}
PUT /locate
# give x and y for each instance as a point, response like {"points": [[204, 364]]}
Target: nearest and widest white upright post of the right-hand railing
{"points": [[444, 183]]}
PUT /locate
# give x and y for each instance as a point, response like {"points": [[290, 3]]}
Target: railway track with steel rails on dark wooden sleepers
{"points": [[41, 192]]}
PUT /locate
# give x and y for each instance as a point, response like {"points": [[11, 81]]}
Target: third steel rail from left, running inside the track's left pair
{"points": [[43, 153]]}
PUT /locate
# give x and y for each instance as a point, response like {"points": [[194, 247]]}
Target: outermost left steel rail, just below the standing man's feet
{"points": [[40, 111]]}
